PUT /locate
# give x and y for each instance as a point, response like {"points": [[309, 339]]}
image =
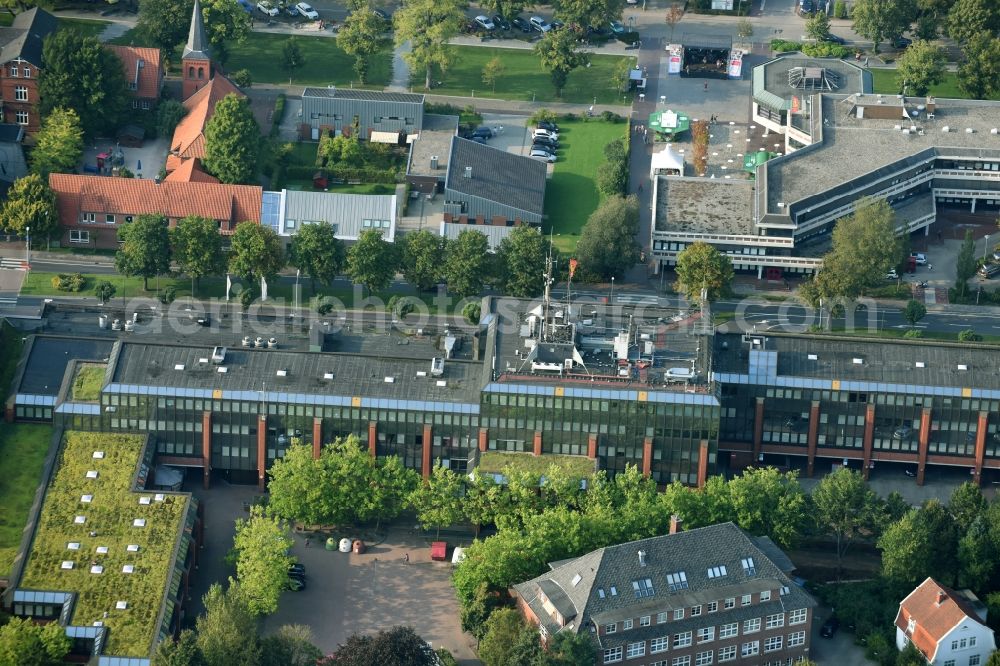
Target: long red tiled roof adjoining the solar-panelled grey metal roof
{"points": [[77, 194]]}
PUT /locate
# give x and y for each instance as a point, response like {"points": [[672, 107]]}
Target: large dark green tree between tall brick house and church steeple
{"points": [[80, 74]]}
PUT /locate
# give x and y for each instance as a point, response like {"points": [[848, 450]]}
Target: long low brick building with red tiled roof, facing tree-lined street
{"points": [[92, 208]]}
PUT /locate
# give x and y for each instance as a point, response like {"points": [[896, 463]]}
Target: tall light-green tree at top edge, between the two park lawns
{"points": [[428, 25]]}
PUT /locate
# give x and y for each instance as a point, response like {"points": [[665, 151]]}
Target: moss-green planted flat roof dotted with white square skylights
{"points": [[109, 507]]}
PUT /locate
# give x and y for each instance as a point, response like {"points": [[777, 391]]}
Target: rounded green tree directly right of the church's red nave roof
{"points": [[232, 141]]}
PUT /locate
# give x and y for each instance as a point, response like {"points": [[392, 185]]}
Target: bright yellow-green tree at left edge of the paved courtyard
{"points": [[261, 545]]}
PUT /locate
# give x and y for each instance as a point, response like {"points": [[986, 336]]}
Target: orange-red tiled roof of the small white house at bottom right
{"points": [[933, 620]]}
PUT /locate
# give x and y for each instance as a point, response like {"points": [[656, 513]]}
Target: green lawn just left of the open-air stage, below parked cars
{"points": [[523, 77]]}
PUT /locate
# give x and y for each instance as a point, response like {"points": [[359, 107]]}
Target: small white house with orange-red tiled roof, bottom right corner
{"points": [[948, 627]]}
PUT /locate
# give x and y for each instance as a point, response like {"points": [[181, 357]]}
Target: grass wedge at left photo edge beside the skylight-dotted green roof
{"points": [[23, 448]]}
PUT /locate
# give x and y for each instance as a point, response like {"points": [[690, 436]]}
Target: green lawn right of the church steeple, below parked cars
{"points": [[325, 63]]}
